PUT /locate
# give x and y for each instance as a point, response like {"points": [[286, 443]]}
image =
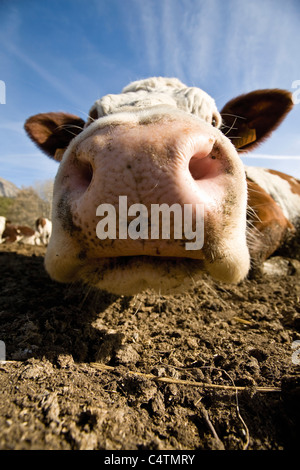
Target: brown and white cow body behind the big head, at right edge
{"points": [[273, 212]]}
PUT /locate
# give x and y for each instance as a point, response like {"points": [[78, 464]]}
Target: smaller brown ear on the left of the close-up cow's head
{"points": [[52, 132]]}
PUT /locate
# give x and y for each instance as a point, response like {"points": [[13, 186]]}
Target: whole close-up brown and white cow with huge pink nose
{"points": [[159, 144]]}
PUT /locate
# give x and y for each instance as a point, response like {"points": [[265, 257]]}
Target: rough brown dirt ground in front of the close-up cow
{"points": [[212, 369]]}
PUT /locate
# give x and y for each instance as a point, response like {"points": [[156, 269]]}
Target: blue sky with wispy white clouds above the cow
{"points": [[64, 54]]}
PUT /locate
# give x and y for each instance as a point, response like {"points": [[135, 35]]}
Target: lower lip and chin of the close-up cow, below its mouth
{"points": [[128, 275]]}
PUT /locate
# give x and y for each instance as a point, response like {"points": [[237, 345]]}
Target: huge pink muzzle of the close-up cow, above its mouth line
{"points": [[114, 167]]}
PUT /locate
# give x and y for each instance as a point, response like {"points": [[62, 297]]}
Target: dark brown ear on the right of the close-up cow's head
{"points": [[251, 118]]}
